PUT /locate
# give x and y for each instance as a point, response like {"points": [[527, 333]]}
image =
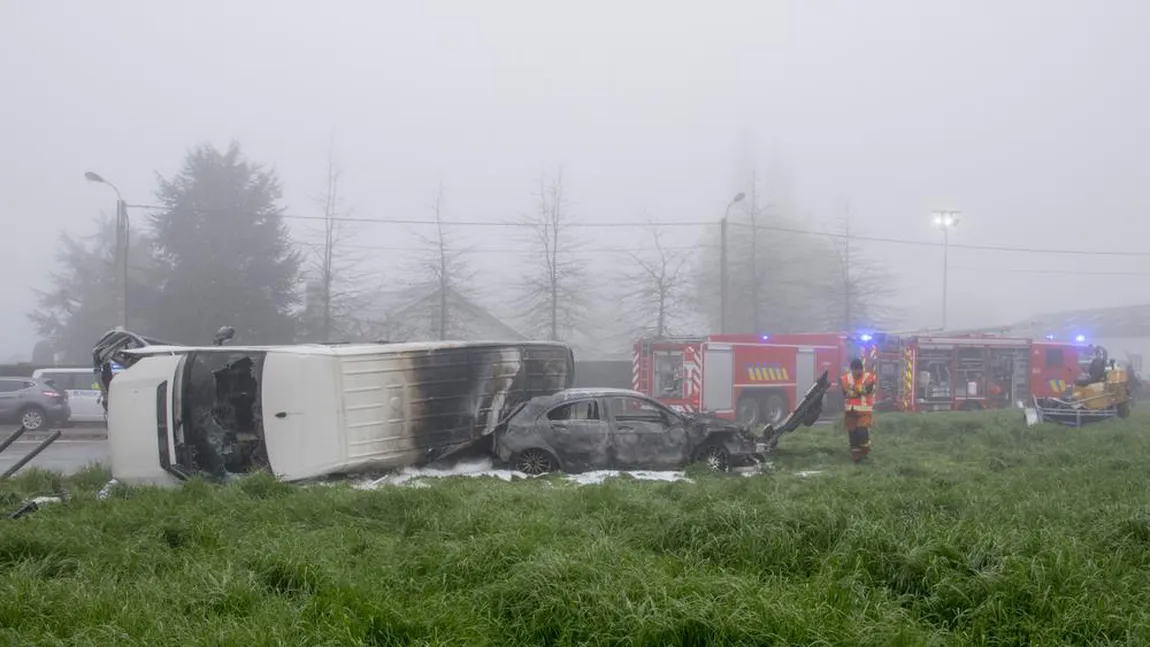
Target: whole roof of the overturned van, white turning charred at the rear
{"points": [[332, 414]]}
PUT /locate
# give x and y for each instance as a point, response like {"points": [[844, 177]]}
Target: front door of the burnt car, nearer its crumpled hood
{"points": [[647, 435]]}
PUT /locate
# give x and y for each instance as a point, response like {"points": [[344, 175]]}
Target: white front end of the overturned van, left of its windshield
{"points": [[134, 420]]}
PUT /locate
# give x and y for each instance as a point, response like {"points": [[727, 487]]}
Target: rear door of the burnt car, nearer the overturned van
{"points": [[580, 435]]}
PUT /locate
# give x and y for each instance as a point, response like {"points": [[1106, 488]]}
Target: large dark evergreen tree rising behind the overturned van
{"points": [[225, 253]]}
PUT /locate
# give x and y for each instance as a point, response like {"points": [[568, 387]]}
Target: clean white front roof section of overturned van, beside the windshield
{"points": [[303, 421]]}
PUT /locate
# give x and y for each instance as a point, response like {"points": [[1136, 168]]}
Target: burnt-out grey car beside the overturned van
{"points": [[589, 429]]}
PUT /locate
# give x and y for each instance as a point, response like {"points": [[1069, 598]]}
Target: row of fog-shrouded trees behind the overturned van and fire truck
{"points": [[218, 251]]}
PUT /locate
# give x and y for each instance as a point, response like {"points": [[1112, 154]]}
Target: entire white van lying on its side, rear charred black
{"points": [[311, 411]]}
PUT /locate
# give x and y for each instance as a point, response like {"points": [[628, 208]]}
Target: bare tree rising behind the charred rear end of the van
{"points": [[554, 292]]}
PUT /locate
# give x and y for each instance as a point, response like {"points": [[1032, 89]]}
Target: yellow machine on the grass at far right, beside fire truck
{"points": [[1101, 394]]}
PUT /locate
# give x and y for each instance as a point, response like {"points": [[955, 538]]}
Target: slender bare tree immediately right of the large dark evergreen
{"points": [[334, 271]]}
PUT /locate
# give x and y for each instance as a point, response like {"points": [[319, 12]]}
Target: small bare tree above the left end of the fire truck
{"points": [[657, 287]]}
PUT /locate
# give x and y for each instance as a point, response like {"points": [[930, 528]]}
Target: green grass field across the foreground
{"points": [[962, 530]]}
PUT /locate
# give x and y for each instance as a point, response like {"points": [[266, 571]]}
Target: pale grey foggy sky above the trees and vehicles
{"points": [[1030, 117]]}
